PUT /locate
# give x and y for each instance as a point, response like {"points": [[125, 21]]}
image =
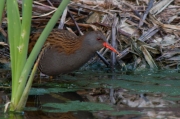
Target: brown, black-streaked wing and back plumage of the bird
{"points": [[62, 40]]}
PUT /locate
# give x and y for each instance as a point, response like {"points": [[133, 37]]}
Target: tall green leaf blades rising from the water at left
{"points": [[18, 34]]}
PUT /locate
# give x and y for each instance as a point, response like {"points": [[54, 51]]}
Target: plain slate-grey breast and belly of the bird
{"points": [[53, 62]]}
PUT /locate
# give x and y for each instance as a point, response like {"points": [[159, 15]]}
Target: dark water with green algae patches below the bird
{"points": [[98, 95]]}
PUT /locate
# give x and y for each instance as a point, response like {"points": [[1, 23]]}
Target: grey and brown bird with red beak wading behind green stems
{"points": [[66, 51]]}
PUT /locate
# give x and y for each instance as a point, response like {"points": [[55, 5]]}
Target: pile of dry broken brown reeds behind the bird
{"points": [[145, 32]]}
